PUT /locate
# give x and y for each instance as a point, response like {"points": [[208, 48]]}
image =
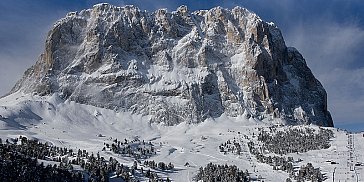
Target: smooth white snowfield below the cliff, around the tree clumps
{"points": [[77, 126]]}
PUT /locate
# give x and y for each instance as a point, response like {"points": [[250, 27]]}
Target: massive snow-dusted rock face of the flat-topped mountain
{"points": [[178, 66]]}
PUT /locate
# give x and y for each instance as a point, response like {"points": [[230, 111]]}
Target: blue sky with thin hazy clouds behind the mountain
{"points": [[329, 34]]}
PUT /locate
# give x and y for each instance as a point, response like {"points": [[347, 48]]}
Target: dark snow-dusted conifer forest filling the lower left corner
{"points": [[22, 159]]}
